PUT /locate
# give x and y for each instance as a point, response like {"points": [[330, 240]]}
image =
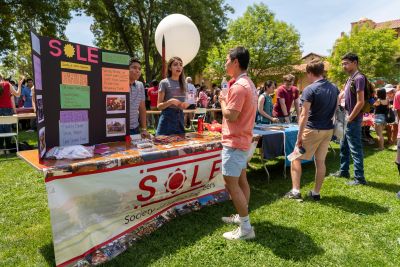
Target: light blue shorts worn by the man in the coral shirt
{"points": [[233, 161]]}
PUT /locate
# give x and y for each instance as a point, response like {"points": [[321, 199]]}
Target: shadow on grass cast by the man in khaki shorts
{"points": [[352, 205]]}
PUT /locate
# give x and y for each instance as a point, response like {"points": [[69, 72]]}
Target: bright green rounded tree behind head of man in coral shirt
{"points": [[274, 45]]}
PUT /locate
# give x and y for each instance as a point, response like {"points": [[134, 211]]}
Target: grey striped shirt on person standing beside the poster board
{"points": [[136, 95]]}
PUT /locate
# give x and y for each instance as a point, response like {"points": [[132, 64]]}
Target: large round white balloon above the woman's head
{"points": [[182, 38]]}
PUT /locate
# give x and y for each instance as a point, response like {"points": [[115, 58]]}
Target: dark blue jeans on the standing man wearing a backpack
{"points": [[352, 145]]}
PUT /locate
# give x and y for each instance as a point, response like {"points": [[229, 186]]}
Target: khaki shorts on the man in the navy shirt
{"points": [[316, 143]]}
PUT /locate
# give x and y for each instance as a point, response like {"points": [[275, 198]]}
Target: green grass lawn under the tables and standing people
{"points": [[350, 226]]}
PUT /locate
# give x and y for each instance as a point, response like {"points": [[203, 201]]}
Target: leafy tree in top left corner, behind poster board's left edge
{"points": [[47, 17]]}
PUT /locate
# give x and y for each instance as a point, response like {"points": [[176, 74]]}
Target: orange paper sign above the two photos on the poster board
{"points": [[115, 80]]}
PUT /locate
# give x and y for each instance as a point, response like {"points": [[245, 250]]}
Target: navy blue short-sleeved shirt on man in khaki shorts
{"points": [[323, 96]]}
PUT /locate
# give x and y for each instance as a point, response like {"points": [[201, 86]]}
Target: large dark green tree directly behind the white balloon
{"points": [[129, 26]]}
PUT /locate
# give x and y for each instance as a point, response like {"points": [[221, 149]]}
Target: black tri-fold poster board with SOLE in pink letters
{"points": [[82, 93]]}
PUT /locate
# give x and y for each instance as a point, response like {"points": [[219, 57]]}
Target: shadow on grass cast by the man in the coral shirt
{"points": [[286, 242]]}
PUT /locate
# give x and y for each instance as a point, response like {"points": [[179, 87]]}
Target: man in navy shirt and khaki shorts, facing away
{"points": [[319, 101]]}
